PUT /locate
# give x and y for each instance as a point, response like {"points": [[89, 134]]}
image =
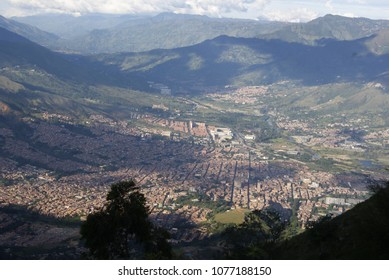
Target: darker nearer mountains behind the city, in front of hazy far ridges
{"points": [[358, 74]]}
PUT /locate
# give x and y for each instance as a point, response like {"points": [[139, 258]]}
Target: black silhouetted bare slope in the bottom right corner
{"points": [[360, 233]]}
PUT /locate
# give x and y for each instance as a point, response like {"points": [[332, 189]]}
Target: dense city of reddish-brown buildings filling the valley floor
{"points": [[190, 172]]}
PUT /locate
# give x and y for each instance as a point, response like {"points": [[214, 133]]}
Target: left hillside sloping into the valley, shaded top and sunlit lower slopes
{"points": [[35, 79]]}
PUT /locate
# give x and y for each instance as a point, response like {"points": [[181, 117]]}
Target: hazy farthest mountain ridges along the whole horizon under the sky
{"points": [[99, 33]]}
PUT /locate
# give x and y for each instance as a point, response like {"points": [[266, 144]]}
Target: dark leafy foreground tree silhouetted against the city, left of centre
{"points": [[122, 229]]}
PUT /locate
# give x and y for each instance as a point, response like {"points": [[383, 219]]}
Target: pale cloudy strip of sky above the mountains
{"points": [[281, 10]]}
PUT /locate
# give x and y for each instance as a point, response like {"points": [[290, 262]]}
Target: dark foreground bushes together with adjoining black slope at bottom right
{"points": [[360, 233]]}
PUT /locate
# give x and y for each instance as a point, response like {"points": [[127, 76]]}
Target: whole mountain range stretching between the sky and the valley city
{"points": [[322, 52]]}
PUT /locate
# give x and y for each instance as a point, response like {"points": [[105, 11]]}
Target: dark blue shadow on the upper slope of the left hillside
{"points": [[20, 53]]}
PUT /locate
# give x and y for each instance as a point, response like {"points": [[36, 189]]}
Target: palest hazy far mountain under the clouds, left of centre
{"points": [[165, 31]]}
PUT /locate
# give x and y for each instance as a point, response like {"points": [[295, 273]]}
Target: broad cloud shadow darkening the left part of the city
{"points": [[70, 159]]}
